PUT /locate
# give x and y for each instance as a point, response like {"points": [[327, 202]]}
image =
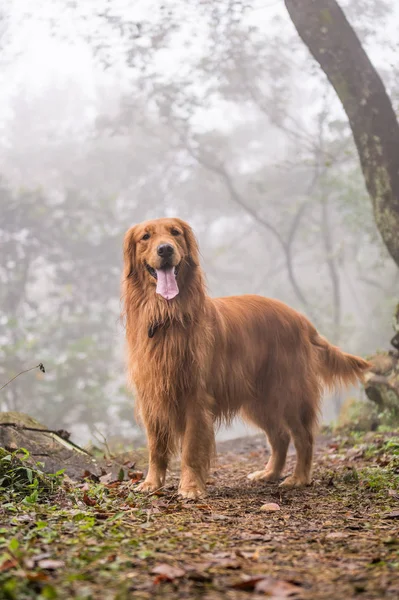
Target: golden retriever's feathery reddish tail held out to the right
{"points": [[337, 367]]}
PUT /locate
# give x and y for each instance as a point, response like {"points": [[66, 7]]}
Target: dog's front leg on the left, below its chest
{"points": [[158, 446]]}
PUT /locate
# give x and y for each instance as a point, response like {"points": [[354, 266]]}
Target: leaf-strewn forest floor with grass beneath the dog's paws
{"points": [[338, 538]]}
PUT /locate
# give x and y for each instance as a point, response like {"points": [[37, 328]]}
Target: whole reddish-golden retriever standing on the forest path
{"points": [[197, 361]]}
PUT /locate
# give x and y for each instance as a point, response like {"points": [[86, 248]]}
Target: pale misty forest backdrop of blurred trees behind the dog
{"points": [[115, 112]]}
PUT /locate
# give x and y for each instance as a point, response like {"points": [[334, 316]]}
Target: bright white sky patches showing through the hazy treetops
{"points": [[34, 59]]}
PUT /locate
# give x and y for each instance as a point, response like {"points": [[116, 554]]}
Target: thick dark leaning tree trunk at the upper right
{"points": [[324, 29]]}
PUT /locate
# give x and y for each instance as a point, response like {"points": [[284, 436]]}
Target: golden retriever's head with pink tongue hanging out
{"points": [[159, 253]]}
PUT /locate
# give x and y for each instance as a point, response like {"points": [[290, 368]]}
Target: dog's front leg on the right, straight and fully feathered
{"points": [[197, 450]]}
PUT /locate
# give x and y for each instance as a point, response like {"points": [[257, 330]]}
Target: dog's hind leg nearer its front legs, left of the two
{"points": [[279, 439]]}
